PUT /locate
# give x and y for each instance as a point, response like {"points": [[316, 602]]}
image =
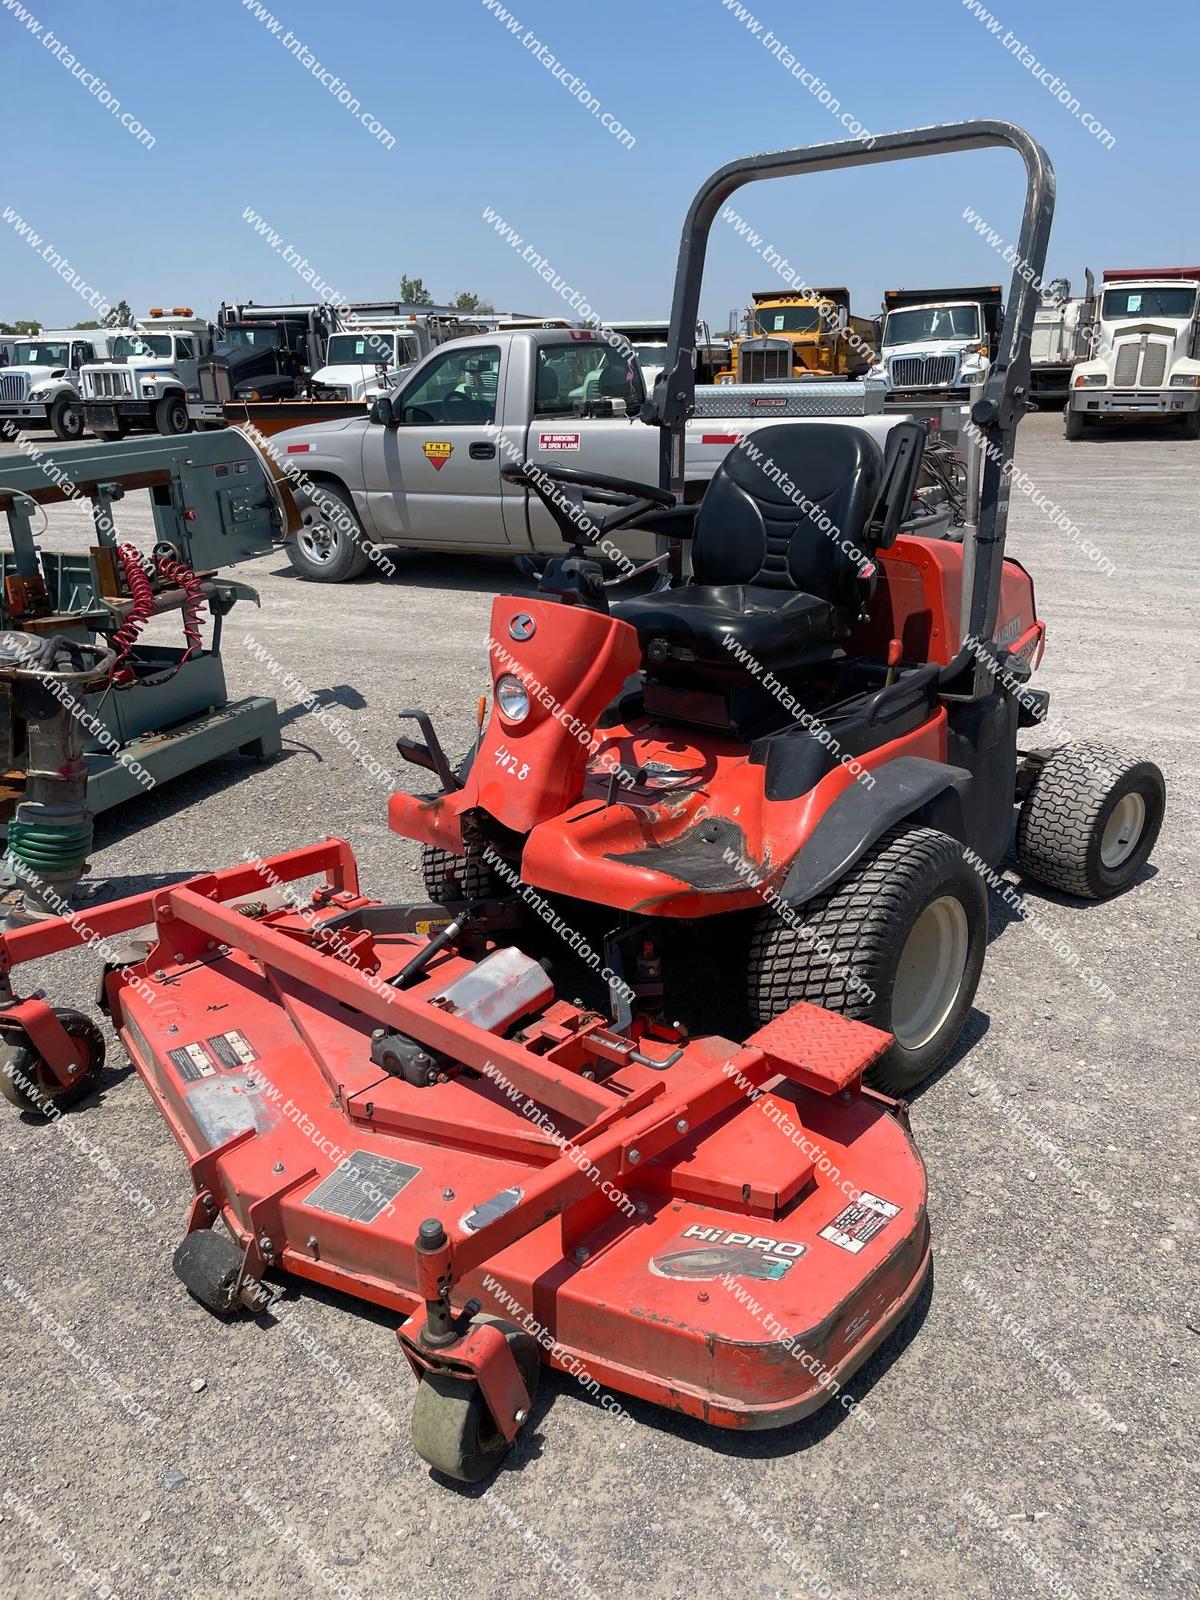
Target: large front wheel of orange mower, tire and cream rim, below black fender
{"points": [[898, 943]]}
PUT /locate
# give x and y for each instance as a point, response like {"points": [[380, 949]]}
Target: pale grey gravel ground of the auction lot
{"points": [[959, 1404]]}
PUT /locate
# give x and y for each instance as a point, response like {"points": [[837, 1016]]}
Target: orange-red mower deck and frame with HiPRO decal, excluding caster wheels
{"points": [[726, 1230]]}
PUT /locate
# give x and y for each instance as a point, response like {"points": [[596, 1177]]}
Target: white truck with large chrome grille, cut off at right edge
{"points": [[1145, 359]]}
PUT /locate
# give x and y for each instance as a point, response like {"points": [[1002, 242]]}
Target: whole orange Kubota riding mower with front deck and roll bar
{"points": [[404, 1103]]}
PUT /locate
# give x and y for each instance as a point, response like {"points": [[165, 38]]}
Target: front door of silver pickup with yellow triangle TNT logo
{"points": [[434, 479]]}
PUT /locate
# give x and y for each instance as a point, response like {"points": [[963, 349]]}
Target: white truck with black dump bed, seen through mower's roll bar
{"points": [[938, 342]]}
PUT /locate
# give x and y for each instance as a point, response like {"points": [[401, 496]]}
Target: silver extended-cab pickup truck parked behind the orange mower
{"points": [[423, 470]]}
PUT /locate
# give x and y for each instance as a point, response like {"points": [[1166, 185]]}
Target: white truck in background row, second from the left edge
{"points": [[150, 378]]}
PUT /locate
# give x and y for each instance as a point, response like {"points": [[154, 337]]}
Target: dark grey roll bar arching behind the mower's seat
{"points": [[1007, 388]]}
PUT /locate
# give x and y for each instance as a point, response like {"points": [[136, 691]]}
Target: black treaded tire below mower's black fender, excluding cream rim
{"points": [[866, 919]]}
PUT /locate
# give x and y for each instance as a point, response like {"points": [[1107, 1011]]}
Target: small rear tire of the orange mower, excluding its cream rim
{"points": [[1063, 818]]}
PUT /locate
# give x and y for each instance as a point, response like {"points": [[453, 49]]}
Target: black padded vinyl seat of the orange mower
{"points": [[772, 575]]}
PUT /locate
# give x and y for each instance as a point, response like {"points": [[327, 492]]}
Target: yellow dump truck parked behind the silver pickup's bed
{"points": [[801, 335]]}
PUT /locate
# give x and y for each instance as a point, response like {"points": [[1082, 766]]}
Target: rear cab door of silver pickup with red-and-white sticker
{"points": [[622, 447]]}
